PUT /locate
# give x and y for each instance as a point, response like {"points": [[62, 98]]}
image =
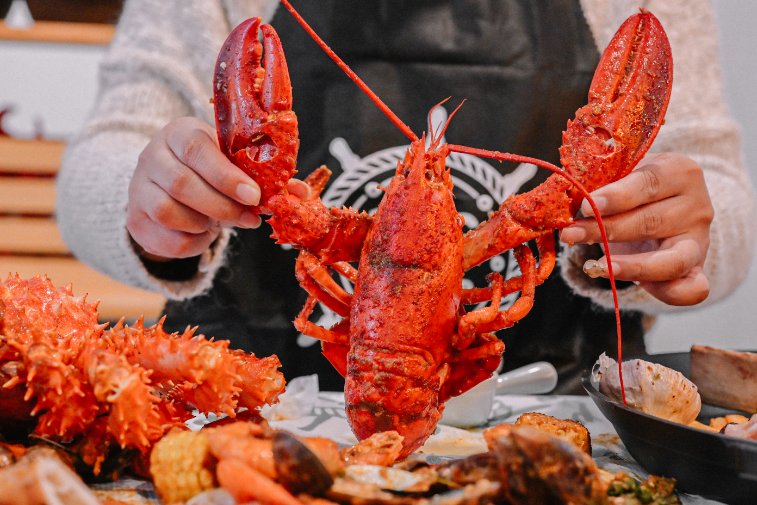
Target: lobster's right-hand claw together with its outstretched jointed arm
{"points": [[628, 98]]}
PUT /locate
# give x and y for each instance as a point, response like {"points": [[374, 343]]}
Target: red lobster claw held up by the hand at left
{"points": [[257, 129]]}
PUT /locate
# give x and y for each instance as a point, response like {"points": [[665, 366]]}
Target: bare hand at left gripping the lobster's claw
{"points": [[184, 191]]}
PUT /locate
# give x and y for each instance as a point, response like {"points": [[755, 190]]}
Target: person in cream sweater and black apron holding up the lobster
{"points": [[146, 196]]}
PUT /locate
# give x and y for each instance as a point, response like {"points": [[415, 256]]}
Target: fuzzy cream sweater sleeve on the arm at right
{"points": [[697, 125]]}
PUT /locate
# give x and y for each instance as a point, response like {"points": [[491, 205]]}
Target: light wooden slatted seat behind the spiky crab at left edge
{"points": [[30, 242]]}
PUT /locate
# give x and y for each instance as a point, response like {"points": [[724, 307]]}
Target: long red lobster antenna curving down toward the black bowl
{"points": [[605, 242]]}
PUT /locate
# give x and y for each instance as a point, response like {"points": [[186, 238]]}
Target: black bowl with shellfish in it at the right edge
{"points": [[698, 433]]}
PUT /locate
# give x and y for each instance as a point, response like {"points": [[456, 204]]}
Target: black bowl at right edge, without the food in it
{"points": [[705, 463]]}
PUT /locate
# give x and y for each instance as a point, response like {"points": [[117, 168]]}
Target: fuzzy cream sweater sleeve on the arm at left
{"points": [[152, 73]]}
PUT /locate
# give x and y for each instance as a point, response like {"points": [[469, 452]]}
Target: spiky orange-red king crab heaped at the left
{"points": [[68, 379]]}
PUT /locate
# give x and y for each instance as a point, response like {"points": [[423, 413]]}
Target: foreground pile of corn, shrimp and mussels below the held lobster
{"points": [[534, 461]]}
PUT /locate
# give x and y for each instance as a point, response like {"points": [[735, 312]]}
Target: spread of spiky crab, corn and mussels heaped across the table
{"points": [[86, 404]]}
